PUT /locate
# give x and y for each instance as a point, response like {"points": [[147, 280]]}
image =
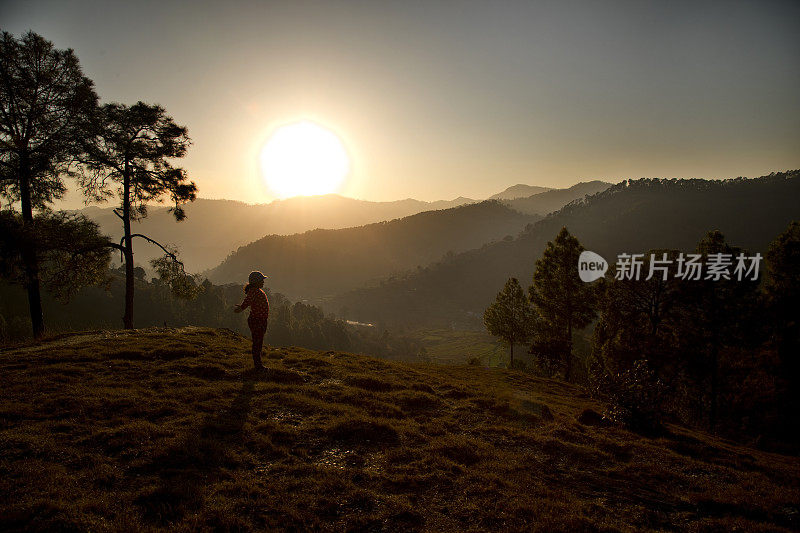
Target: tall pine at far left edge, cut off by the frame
{"points": [[46, 104]]}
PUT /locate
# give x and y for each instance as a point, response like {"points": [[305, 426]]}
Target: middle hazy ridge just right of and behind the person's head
{"points": [[326, 262]]}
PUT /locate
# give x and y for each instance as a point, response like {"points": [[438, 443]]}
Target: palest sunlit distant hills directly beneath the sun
{"points": [[215, 227]]}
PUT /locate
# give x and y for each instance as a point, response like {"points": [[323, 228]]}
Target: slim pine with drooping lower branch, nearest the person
{"points": [[131, 148]]}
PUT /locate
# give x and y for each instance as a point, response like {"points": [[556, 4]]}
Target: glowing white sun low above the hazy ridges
{"points": [[303, 159]]}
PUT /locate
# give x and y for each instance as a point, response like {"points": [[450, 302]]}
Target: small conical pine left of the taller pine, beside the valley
{"points": [[510, 317]]}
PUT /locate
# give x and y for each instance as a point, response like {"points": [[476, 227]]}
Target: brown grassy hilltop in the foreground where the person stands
{"points": [[161, 428]]}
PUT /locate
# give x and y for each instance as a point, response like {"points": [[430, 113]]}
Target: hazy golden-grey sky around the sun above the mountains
{"points": [[435, 100]]}
